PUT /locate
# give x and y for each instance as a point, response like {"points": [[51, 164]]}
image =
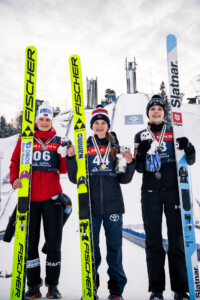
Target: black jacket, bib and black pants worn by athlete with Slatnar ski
{"points": [[160, 194]]}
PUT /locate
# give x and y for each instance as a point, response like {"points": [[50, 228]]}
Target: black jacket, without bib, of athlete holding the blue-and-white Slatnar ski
{"points": [[168, 169]]}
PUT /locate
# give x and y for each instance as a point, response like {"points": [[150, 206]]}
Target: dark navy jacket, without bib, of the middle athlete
{"points": [[105, 191]]}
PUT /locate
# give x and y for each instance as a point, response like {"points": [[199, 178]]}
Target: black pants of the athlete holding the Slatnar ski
{"points": [[153, 203]]}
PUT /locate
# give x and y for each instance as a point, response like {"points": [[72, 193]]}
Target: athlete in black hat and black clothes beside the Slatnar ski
{"points": [[160, 192]]}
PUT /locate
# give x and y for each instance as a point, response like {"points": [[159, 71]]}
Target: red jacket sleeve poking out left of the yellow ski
{"points": [[15, 162]]}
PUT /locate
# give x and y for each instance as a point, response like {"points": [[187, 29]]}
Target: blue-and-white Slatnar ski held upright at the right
{"points": [[182, 172]]}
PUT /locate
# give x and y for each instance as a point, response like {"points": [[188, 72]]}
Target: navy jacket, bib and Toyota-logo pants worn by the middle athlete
{"points": [[107, 208]]}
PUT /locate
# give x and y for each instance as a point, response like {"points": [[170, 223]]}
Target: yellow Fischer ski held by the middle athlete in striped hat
{"points": [[86, 241]]}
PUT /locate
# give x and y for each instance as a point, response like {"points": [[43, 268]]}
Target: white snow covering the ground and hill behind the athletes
{"points": [[134, 260]]}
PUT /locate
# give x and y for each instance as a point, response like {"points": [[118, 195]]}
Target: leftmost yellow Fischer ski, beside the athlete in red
{"points": [[23, 201]]}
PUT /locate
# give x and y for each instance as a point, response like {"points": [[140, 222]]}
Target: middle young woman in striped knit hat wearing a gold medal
{"points": [[106, 196]]}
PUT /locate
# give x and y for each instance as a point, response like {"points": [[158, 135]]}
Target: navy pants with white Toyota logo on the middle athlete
{"points": [[112, 224]]}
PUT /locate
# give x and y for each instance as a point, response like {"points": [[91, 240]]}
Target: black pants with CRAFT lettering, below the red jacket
{"points": [[52, 215]]}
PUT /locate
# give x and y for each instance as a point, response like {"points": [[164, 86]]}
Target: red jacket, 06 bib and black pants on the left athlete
{"points": [[47, 164]]}
